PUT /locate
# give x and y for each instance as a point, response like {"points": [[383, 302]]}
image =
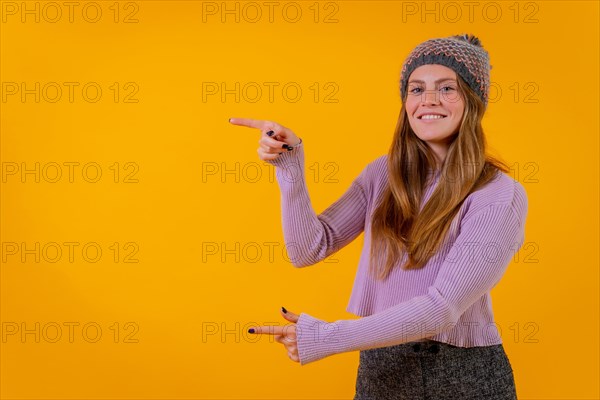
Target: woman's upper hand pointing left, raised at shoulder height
{"points": [[274, 139]]}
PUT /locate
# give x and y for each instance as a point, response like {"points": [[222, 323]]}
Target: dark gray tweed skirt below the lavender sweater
{"points": [[431, 370]]}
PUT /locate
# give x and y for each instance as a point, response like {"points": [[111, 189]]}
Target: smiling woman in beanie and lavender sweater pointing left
{"points": [[442, 221]]}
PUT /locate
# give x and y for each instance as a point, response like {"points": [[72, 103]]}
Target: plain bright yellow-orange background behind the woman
{"points": [[542, 119]]}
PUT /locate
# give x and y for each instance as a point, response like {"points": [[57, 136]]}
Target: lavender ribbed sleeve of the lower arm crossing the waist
{"points": [[473, 266]]}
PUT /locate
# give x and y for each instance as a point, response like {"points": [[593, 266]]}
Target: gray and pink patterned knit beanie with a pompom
{"points": [[462, 53]]}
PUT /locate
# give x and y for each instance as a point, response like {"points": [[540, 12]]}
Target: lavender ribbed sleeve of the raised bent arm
{"points": [[310, 238]]}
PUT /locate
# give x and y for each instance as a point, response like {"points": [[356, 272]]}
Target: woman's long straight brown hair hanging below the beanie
{"points": [[398, 226]]}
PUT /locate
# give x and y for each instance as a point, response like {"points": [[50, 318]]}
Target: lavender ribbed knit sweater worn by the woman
{"points": [[448, 300]]}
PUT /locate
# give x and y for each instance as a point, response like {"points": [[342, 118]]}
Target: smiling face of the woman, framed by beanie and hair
{"points": [[433, 90]]}
